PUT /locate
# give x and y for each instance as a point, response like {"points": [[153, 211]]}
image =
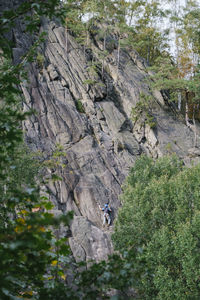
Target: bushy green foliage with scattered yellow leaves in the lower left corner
{"points": [[26, 238]]}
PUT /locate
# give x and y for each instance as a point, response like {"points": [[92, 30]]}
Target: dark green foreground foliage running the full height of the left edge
{"points": [[27, 242]]}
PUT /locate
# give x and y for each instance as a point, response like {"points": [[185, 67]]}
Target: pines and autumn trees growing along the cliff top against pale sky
{"points": [[166, 36]]}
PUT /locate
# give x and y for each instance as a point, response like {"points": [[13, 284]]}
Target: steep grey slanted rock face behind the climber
{"points": [[89, 115]]}
